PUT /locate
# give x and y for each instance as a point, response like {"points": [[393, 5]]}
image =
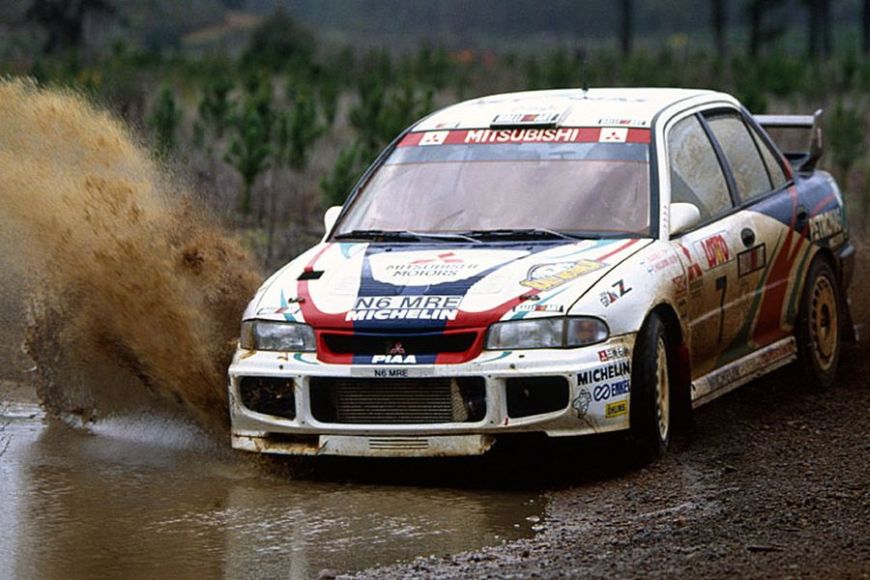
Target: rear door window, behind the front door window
{"points": [[742, 155]]}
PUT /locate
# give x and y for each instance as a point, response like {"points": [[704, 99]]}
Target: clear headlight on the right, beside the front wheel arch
{"points": [[546, 333]]}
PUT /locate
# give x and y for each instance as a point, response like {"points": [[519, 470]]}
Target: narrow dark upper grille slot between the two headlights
{"points": [[411, 343]]}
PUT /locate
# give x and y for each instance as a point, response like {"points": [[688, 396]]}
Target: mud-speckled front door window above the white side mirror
{"points": [[696, 176]]}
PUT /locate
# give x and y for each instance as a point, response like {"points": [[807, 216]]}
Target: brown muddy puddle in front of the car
{"points": [[151, 497]]}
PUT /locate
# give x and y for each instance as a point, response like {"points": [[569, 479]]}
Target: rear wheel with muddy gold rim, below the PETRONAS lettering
{"points": [[818, 331]]}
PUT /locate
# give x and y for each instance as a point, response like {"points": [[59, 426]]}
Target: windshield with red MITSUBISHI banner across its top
{"points": [[458, 181]]}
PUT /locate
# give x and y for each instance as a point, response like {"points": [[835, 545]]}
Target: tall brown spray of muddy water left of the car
{"points": [[135, 295]]}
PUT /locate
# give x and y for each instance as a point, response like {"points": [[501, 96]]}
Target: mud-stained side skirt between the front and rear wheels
{"points": [[743, 370]]}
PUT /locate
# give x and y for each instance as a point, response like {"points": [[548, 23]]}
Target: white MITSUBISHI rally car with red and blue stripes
{"points": [[564, 262]]}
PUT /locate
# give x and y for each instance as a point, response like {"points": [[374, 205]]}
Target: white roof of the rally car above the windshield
{"points": [[634, 107]]}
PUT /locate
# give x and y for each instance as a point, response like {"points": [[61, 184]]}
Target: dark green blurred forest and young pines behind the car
{"points": [[270, 110]]}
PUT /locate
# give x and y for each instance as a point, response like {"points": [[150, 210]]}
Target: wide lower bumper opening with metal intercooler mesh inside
{"points": [[398, 401]]}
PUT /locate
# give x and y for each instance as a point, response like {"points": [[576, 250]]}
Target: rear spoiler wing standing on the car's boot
{"points": [[799, 137]]}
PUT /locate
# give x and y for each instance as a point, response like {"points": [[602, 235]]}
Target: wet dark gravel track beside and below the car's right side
{"points": [[774, 480]]}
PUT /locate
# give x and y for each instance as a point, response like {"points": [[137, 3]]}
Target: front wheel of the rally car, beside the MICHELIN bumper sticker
{"points": [[650, 408]]}
